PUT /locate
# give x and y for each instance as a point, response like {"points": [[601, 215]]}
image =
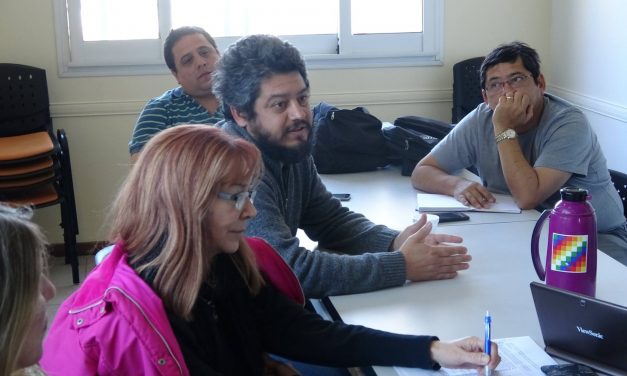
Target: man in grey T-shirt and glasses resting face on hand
{"points": [[527, 143]]}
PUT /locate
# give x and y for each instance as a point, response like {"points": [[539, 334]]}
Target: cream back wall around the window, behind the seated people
{"points": [[98, 113]]}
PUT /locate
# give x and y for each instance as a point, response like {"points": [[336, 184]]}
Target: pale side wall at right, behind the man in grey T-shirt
{"points": [[589, 67]]}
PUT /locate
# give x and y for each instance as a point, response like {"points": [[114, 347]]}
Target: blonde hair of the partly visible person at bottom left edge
{"points": [[22, 259]]}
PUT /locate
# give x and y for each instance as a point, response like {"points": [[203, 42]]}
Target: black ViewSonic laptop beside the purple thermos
{"points": [[582, 329]]}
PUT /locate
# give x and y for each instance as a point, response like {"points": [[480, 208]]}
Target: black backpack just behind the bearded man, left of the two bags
{"points": [[347, 140]]}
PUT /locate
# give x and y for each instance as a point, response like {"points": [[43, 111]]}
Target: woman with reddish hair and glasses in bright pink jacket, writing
{"points": [[183, 292]]}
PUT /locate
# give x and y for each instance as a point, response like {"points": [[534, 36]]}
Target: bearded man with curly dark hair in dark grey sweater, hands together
{"points": [[263, 85]]}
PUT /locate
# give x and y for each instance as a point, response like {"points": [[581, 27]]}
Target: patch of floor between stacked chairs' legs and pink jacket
{"points": [[61, 277]]}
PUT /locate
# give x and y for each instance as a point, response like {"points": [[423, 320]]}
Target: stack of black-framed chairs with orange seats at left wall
{"points": [[35, 167]]}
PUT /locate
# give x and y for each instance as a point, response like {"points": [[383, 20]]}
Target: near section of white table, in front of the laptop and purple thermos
{"points": [[498, 281]]}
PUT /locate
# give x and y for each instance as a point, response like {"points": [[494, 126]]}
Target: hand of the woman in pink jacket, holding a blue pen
{"points": [[465, 353]]}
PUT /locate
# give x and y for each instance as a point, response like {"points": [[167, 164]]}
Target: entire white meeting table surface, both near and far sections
{"points": [[498, 278]]}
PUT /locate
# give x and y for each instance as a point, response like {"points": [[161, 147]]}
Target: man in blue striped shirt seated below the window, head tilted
{"points": [[191, 54]]}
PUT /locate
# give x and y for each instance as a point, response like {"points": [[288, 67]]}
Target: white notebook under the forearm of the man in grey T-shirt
{"points": [[432, 202]]}
